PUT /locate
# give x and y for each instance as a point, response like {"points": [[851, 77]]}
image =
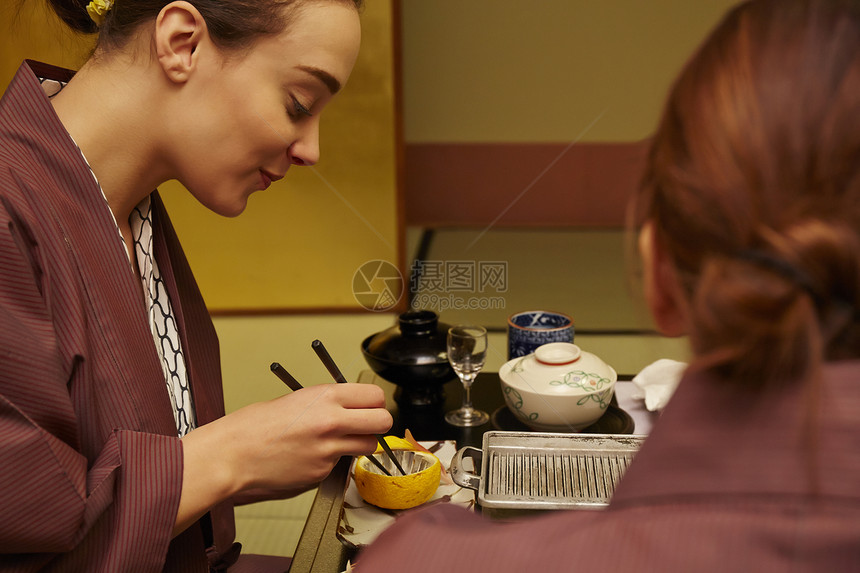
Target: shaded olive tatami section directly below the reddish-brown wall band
{"points": [[583, 273]]}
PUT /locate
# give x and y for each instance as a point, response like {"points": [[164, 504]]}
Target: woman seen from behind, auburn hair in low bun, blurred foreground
{"points": [[750, 236]]}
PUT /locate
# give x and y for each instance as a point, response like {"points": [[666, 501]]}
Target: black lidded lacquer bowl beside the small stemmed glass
{"points": [[413, 355]]}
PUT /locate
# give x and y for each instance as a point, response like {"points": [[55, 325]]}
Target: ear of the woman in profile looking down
{"points": [[179, 32]]}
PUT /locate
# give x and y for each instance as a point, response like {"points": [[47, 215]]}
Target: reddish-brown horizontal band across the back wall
{"points": [[521, 184]]}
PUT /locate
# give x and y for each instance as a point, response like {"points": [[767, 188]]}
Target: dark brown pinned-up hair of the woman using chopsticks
{"points": [[231, 23]]}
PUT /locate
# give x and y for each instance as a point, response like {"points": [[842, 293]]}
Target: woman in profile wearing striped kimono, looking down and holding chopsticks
{"points": [[115, 451]]}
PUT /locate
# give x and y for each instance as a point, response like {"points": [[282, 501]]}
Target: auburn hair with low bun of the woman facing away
{"points": [[753, 186]]}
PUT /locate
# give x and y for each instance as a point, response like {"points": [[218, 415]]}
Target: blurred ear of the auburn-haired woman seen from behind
{"points": [[663, 291]]}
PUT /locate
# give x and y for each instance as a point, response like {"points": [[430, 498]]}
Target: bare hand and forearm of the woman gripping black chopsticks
{"points": [[289, 443]]}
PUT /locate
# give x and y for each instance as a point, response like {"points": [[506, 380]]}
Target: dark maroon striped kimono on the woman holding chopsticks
{"points": [[90, 465]]}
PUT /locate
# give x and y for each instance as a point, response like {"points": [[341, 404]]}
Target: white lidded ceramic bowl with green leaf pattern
{"points": [[558, 388]]}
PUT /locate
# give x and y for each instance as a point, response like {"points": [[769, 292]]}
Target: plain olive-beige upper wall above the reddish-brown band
{"points": [[515, 71]]}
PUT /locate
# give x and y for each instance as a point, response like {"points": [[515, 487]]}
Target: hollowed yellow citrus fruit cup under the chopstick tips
{"points": [[423, 471]]}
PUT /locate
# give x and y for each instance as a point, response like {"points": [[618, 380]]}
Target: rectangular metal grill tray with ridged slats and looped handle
{"points": [[535, 470]]}
